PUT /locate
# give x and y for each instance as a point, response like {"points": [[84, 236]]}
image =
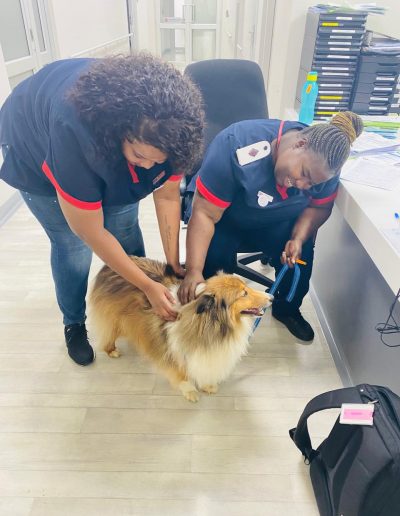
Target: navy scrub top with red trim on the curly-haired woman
{"points": [[50, 149]]}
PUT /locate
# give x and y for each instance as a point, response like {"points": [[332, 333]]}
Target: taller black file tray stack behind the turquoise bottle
{"points": [[331, 46]]}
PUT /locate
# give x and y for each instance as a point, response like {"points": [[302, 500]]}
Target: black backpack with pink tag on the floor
{"points": [[356, 469]]}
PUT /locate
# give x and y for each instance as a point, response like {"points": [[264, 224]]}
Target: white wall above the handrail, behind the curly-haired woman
{"points": [[83, 24]]}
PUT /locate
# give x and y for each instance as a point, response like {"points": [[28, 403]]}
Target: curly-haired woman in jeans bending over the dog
{"points": [[84, 140]]}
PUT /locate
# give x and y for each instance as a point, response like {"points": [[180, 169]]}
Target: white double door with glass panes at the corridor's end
{"points": [[188, 30]]}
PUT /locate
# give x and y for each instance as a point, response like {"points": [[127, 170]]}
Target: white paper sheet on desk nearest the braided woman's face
{"points": [[372, 172]]}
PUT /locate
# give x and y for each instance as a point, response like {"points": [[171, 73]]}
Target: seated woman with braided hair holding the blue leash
{"points": [[267, 185]]}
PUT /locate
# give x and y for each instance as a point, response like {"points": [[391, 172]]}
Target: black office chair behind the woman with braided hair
{"points": [[232, 90]]}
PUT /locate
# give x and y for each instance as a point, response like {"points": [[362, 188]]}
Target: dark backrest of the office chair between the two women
{"points": [[232, 90]]}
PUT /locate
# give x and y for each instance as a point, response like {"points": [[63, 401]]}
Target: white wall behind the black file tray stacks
{"points": [[287, 40]]}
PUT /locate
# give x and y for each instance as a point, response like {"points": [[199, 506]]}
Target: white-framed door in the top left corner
{"points": [[24, 37]]}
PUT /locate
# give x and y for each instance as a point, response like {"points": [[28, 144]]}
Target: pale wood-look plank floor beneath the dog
{"points": [[114, 439]]}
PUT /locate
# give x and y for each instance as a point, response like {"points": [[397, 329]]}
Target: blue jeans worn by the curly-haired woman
{"points": [[71, 257]]}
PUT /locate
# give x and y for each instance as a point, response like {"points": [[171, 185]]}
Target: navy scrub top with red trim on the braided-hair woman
{"points": [[246, 191]]}
